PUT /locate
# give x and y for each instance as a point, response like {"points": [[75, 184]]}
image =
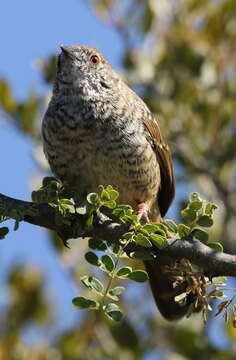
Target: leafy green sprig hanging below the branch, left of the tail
{"points": [[107, 294]]}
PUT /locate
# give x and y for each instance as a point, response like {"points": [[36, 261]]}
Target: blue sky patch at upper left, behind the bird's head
{"points": [[35, 29]]}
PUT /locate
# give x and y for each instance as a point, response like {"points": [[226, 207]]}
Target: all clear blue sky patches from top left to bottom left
{"points": [[33, 30]]}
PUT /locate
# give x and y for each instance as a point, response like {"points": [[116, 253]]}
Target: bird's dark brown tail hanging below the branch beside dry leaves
{"points": [[163, 289]]}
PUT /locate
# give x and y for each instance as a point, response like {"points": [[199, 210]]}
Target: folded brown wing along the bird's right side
{"points": [[167, 189]]}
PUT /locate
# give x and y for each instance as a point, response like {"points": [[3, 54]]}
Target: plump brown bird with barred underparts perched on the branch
{"points": [[98, 131]]}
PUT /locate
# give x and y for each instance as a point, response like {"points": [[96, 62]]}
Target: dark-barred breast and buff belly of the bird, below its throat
{"points": [[86, 154]]}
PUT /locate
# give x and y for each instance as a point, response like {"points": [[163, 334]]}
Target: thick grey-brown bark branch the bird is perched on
{"points": [[215, 263]]}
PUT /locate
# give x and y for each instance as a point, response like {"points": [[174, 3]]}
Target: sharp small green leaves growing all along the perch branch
{"points": [[197, 215]]}
